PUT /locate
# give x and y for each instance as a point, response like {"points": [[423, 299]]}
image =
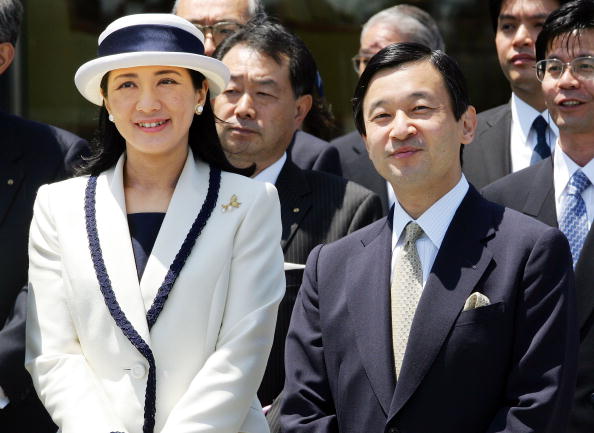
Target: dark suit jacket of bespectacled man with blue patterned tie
{"points": [[531, 191]]}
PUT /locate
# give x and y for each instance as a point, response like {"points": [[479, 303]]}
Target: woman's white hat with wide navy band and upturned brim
{"points": [[149, 40]]}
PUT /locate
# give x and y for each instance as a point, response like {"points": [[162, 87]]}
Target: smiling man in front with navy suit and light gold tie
{"points": [[451, 315]]}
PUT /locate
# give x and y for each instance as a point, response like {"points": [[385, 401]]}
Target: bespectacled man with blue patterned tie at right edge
{"points": [[546, 191]]}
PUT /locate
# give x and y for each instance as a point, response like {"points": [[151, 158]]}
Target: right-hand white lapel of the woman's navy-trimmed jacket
{"points": [[185, 204]]}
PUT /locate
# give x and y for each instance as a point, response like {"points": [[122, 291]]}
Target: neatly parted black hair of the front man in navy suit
{"points": [[399, 54]]}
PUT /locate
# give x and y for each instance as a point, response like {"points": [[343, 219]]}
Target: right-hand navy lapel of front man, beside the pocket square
{"points": [[452, 279]]}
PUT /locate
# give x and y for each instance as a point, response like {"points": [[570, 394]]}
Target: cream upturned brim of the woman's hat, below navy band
{"points": [[88, 77]]}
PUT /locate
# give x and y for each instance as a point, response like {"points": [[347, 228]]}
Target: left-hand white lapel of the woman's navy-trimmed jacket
{"points": [[116, 246]]}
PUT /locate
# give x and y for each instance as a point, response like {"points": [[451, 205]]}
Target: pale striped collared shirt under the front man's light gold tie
{"points": [[435, 222]]}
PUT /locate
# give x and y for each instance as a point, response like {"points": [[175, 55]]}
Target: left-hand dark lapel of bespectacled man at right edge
{"points": [[540, 203]]}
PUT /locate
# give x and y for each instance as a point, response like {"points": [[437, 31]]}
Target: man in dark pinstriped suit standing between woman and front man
{"points": [[269, 94]]}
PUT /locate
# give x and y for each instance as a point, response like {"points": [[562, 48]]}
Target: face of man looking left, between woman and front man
{"points": [[259, 110]]}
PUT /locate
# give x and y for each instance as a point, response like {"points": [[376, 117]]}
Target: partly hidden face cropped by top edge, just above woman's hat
{"points": [[211, 12]]}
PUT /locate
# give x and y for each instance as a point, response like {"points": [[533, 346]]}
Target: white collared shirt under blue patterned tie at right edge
{"points": [[563, 168]]}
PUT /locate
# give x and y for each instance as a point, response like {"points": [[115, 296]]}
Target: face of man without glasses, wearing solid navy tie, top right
{"points": [[518, 26]]}
